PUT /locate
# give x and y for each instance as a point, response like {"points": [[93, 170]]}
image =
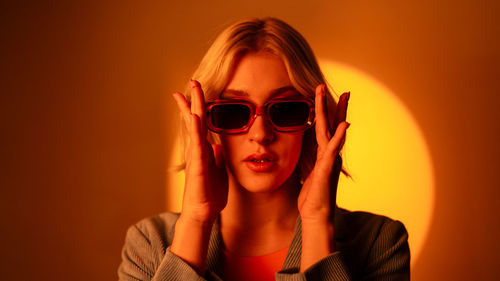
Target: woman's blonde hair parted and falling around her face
{"points": [[274, 36]]}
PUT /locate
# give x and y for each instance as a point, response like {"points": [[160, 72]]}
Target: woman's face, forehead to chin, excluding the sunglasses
{"points": [[261, 159]]}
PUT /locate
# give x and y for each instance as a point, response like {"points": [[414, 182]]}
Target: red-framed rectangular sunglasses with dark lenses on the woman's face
{"points": [[236, 116]]}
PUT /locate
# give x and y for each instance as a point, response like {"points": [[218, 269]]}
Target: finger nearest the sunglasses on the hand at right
{"points": [[322, 129]]}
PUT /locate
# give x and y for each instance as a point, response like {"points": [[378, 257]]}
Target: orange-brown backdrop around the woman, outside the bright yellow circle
{"points": [[86, 118]]}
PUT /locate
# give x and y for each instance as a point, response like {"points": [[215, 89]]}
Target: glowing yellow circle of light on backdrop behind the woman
{"points": [[386, 154]]}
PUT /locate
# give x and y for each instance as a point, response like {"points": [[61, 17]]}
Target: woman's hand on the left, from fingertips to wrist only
{"points": [[206, 185]]}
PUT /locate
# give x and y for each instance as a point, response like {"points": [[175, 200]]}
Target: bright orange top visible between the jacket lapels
{"points": [[252, 268]]}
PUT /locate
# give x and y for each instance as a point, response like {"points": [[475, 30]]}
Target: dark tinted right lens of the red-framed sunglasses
{"points": [[289, 113]]}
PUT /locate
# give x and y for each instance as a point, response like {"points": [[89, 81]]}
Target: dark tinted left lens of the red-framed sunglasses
{"points": [[230, 116]]}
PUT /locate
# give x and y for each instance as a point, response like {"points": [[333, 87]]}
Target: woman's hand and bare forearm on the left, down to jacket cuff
{"points": [[206, 186]]}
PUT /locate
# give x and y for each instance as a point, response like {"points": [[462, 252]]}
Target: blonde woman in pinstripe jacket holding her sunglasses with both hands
{"points": [[262, 167]]}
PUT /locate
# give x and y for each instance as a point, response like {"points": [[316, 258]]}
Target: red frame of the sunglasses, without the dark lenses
{"points": [[261, 110]]}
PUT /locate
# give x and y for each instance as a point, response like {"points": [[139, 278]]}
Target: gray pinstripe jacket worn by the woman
{"points": [[369, 247]]}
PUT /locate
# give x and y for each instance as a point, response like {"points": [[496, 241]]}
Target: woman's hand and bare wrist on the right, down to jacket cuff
{"points": [[317, 197]]}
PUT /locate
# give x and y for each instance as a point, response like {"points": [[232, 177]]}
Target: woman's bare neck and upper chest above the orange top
{"points": [[255, 224]]}
